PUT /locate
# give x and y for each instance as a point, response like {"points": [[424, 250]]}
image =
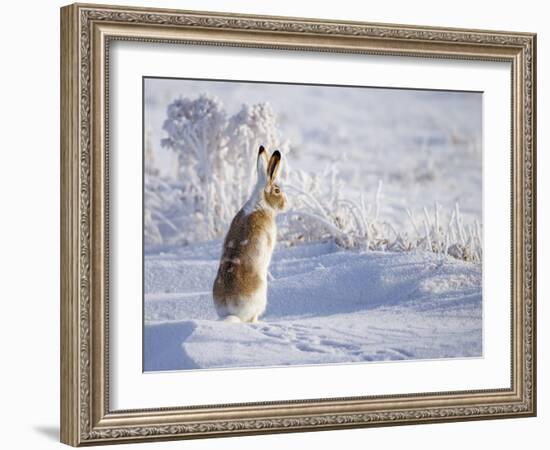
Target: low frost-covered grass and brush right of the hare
{"points": [[320, 211]]}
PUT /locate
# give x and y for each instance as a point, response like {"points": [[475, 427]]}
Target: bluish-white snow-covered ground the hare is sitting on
{"points": [[325, 305]]}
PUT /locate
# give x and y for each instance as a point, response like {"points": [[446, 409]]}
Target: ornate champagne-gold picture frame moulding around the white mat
{"points": [[86, 31]]}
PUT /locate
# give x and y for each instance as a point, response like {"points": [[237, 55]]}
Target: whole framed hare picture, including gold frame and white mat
{"points": [[276, 224]]}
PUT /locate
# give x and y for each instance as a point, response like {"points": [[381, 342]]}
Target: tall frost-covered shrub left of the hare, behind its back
{"points": [[215, 155]]}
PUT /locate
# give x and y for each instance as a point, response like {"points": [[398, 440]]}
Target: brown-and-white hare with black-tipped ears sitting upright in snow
{"points": [[240, 287]]}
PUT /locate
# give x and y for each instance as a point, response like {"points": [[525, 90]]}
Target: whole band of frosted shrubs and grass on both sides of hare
{"points": [[216, 156]]}
